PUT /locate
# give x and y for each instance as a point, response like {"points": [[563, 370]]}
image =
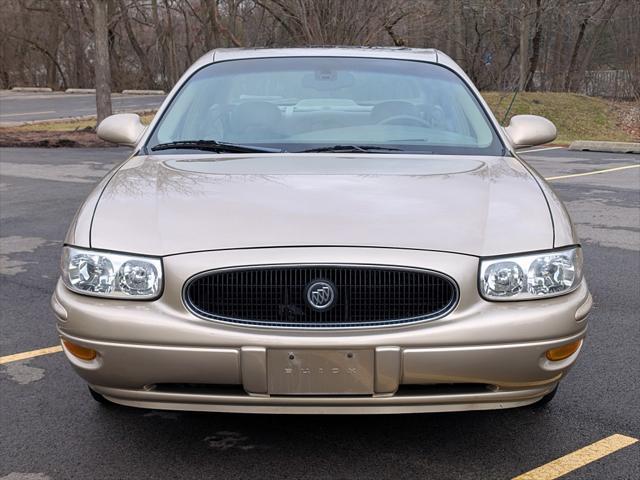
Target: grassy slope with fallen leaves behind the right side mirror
{"points": [[577, 117]]}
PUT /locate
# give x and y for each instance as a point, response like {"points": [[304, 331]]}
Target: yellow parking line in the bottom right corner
{"points": [[579, 458]]}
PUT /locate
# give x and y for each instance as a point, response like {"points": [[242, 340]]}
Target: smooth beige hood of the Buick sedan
{"points": [[165, 204]]}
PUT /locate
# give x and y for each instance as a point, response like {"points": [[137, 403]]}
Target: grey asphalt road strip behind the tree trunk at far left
{"points": [[27, 107]]}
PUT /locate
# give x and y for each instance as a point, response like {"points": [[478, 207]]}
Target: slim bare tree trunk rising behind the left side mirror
{"points": [[102, 67]]}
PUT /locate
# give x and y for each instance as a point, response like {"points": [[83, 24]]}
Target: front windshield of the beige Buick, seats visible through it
{"points": [[318, 103]]}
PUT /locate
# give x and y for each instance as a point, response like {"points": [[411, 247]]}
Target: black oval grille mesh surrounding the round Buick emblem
{"points": [[276, 296]]}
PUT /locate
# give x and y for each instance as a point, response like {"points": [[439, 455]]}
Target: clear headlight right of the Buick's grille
{"points": [[536, 275]]}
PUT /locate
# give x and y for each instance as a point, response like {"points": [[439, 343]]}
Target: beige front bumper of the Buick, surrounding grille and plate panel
{"points": [[483, 355]]}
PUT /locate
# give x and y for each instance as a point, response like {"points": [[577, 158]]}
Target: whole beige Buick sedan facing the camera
{"points": [[325, 230]]}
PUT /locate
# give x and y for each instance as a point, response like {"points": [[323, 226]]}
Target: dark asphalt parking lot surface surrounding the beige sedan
{"points": [[52, 429]]}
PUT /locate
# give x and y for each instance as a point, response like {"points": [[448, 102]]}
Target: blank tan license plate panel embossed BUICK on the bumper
{"points": [[320, 372]]}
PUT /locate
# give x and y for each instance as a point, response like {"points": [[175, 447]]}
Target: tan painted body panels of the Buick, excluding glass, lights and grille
{"points": [[436, 212]]}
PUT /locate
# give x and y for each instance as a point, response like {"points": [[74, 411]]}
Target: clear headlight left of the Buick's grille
{"points": [[111, 275]]}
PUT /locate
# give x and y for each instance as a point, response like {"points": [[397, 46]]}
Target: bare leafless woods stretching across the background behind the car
{"points": [[588, 46]]}
